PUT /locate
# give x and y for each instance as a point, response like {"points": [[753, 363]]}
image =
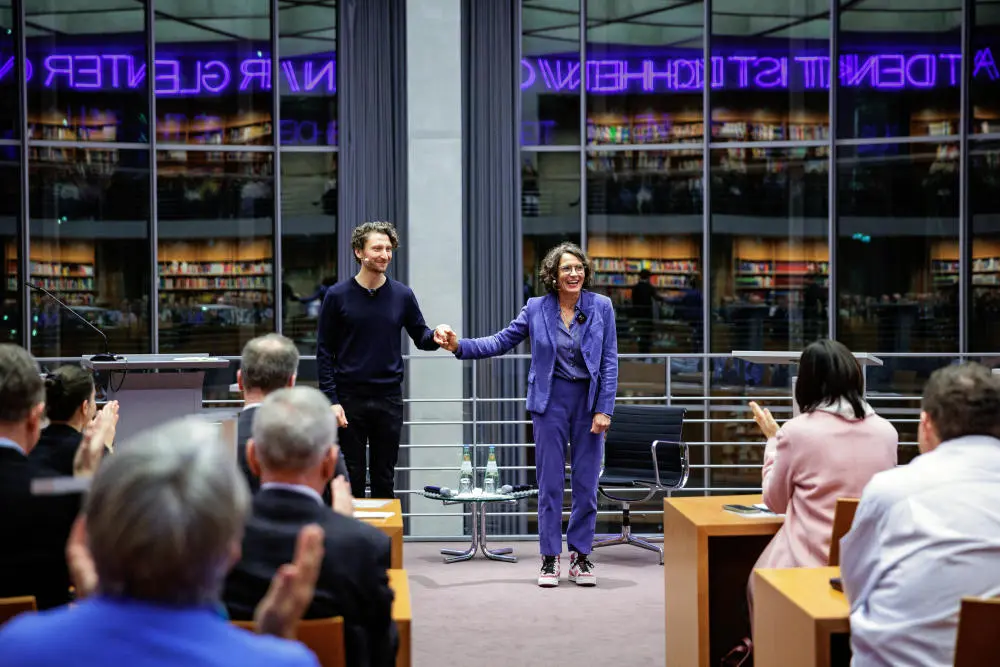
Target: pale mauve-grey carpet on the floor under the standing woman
{"points": [[484, 612]]}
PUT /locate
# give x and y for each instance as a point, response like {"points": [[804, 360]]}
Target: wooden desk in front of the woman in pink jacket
{"points": [[709, 554]]}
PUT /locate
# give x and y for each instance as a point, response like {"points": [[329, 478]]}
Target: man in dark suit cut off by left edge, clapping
{"points": [[34, 528]]}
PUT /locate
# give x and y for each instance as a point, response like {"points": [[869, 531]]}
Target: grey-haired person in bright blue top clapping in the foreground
{"points": [[161, 526]]}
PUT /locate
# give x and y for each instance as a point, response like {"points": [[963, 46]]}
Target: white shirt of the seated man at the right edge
{"points": [[924, 536]]}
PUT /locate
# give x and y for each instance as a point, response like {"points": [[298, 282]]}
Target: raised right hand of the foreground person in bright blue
{"points": [[292, 587]]}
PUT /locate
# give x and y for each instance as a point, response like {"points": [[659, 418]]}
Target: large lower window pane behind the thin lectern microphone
{"points": [[89, 240]]}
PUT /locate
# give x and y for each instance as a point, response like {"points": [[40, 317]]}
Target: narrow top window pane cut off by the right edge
{"points": [[983, 87]]}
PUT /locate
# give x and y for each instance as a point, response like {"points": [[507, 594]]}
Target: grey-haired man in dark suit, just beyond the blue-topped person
{"points": [[293, 451]]}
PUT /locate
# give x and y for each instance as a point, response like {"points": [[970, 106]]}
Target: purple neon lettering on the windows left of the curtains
{"points": [[171, 76]]}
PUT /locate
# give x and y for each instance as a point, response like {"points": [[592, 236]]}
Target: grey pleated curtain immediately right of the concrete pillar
{"points": [[491, 53]]}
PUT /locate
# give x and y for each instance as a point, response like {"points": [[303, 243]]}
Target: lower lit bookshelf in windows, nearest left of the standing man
{"points": [[224, 267]]}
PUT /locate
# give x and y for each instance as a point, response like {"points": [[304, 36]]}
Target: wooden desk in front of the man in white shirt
{"points": [[799, 619]]}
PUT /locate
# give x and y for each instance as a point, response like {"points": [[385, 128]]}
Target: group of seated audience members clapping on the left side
{"points": [[174, 539]]}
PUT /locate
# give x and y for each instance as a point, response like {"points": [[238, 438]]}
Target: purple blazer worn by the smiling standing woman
{"points": [[539, 319]]}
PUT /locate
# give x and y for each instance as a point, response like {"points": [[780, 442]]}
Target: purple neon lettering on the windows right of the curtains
{"points": [[885, 71]]}
